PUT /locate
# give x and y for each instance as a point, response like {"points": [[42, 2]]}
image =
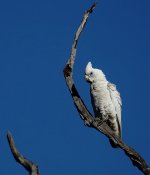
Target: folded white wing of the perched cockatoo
{"points": [[116, 100]]}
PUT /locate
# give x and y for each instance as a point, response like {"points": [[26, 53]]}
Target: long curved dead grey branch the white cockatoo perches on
{"points": [[85, 115]]}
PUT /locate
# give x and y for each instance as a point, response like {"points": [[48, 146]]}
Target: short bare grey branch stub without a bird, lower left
{"points": [[31, 167]]}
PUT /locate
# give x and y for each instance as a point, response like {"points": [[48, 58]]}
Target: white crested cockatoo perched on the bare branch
{"points": [[105, 99]]}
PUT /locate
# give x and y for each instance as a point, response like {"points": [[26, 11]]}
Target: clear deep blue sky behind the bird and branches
{"points": [[35, 104]]}
